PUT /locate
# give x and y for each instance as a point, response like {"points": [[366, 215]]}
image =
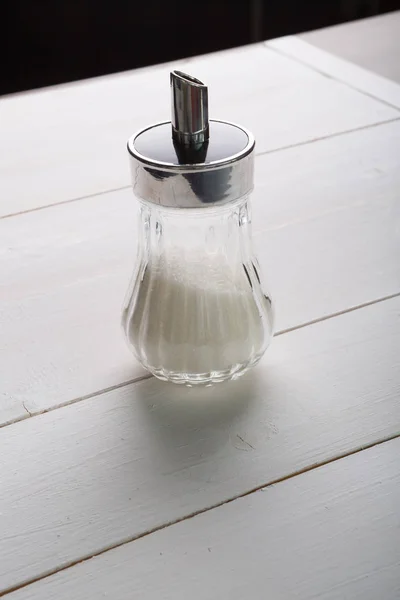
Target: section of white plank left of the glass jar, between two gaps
{"points": [[64, 276]]}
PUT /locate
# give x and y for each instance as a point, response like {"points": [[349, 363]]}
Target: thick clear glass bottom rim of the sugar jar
{"points": [[191, 379]]}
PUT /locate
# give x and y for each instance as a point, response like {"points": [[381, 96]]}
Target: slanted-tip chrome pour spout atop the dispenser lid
{"points": [[189, 103]]}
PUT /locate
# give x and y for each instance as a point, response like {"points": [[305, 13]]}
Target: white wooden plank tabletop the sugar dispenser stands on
{"points": [[284, 484]]}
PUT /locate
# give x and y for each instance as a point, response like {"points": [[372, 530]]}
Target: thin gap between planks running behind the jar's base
{"points": [[149, 375]]}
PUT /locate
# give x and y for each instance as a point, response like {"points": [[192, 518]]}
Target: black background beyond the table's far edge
{"points": [[44, 42]]}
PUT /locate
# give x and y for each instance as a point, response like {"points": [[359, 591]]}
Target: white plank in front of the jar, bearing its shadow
{"points": [[93, 474]]}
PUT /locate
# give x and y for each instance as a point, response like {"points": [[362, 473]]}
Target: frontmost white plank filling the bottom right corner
{"points": [[331, 534]]}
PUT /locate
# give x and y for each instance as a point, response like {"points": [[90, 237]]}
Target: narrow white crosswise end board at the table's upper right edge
{"points": [[339, 68]]}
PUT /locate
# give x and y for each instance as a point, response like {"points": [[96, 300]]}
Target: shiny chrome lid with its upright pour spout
{"points": [[190, 162]]}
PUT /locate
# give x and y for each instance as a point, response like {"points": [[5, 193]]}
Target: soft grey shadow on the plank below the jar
{"points": [[190, 424]]}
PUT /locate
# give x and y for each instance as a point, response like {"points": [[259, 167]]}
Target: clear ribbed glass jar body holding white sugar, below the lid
{"points": [[195, 312]]}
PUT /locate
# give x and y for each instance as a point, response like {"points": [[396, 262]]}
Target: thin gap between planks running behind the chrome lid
{"points": [[279, 149]]}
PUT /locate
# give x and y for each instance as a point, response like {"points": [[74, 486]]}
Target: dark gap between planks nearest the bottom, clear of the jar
{"points": [[134, 538]]}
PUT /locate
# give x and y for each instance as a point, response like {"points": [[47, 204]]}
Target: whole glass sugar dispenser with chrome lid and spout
{"points": [[195, 312]]}
